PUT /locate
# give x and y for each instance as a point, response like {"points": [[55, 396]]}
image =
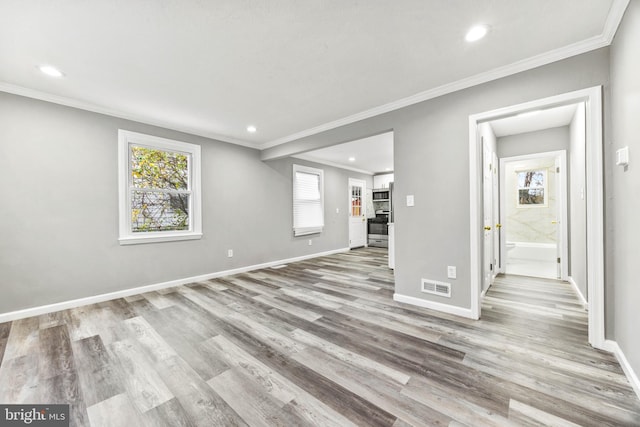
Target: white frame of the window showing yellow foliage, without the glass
{"points": [[125, 140]]}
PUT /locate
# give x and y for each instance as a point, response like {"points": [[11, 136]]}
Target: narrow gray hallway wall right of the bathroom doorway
{"points": [[577, 201]]}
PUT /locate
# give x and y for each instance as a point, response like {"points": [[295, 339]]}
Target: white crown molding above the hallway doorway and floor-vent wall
{"points": [[612, 23]]}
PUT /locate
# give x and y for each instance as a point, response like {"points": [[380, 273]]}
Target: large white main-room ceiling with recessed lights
{"points": [[289, 67]]}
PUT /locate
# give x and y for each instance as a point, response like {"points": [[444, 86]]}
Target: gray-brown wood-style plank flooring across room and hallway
{"points": [[318, 342]]}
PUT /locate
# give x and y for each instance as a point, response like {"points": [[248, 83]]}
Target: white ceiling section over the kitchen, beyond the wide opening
{"points": [[370, 155]]}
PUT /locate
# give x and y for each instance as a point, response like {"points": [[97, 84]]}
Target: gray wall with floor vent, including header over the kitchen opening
{"points": [[431, 155]]}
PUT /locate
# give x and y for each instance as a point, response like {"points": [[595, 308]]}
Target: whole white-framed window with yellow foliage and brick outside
{"points": [[159, 182]]}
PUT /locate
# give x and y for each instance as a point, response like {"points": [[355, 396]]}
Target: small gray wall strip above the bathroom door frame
{"points": [[541, 141]]}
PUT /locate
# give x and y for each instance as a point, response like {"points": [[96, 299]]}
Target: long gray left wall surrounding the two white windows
{"points": [[59, 211]]}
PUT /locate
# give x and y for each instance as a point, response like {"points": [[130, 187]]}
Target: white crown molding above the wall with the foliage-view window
{"points": [[74, 103]]}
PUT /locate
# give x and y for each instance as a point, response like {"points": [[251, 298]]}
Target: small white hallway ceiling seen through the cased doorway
{"points": [[534, 121]]}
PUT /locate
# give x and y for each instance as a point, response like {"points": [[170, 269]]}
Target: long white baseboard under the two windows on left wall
{"points": [[65, 305]]}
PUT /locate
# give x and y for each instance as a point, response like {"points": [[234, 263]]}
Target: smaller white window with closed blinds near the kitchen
{"points": [[308, 204]]}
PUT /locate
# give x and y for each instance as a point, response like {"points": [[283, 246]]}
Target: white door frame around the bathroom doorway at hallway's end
{"points": [[563, 207]]}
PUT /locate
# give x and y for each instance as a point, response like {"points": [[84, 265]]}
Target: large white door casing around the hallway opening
{"points": [[592, 97]]}
